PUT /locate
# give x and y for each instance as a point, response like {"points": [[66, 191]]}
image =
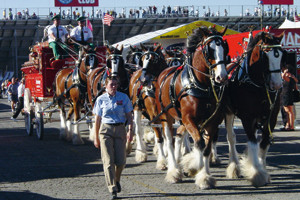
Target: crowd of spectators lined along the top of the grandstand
{"points": [[150, 12]]}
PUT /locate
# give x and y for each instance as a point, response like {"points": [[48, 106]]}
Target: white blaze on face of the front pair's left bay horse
{"points": [[220, 70]]}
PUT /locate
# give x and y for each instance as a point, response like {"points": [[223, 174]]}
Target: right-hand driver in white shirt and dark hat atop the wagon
{"points": [[82, 34]]}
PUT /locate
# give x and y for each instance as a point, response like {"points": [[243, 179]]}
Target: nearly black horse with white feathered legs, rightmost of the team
{"points": [[253, 96]]}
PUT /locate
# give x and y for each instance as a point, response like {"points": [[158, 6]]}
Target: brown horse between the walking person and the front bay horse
{"points": [[142, 95]]}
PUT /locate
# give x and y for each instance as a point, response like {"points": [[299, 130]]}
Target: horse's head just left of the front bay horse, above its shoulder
{"points": [[153, 62]]}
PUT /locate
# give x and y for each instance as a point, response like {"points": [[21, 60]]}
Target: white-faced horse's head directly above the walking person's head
{"points": [[114, 59]]}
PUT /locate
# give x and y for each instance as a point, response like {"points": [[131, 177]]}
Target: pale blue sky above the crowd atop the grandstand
{"points": [[233, 6]]}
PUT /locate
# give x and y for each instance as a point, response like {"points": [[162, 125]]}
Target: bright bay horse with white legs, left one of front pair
{"points": [[193, 94]]}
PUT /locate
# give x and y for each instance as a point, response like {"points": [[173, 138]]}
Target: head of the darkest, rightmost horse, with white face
{"points": [[265, 58]]}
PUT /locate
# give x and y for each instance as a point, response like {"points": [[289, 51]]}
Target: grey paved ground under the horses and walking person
{"points": [[53, 169]]}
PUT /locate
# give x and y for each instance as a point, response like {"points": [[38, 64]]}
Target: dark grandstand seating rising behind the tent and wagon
{"points": [[16, 36]]}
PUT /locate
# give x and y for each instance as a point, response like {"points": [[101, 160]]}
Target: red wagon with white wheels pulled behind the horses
{"points": [[39, 73]]}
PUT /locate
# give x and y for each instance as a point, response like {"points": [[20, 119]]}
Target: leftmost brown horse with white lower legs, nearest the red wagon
{"points": [[70, 84]]}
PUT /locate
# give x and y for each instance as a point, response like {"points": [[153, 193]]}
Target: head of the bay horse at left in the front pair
{"points": [[208, 45]]}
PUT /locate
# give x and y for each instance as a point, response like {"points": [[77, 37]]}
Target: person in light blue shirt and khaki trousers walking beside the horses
{"points": [[112, 110]]}
